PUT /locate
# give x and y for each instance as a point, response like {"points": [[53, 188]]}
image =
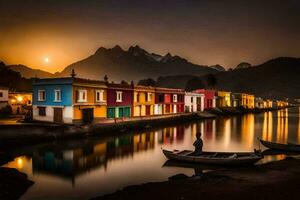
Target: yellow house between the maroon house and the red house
{"points": [[143, 101]]}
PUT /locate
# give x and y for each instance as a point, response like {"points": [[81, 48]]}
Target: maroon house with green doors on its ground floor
{"points": [[120, 100]]}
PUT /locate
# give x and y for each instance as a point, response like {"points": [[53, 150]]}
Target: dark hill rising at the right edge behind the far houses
{"points": [[277, 78]]}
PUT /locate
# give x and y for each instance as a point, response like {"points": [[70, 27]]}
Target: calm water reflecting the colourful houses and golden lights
{"points": [[85, 169]]}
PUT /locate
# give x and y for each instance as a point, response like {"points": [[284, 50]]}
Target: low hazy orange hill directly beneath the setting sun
{"points": [[27, 72]]}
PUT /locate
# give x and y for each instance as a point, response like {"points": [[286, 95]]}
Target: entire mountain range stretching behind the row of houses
{"points": [[276, 78]]}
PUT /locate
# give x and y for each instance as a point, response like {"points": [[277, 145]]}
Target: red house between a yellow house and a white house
{"points": [[168, 101]]}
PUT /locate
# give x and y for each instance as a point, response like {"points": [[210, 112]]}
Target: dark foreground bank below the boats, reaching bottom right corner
{"points": [[276, 180]]}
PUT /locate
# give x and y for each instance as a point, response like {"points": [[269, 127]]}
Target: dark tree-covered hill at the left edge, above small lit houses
{"points": [[13, 80]]}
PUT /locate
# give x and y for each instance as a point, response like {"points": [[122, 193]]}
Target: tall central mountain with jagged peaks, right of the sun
{"points": [[133, 64]]}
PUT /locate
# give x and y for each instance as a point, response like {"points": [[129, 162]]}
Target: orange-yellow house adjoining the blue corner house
{"points": [[89, 100]]}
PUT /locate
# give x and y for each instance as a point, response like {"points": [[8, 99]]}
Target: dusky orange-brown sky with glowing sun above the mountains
{"points": [[51, 34]]}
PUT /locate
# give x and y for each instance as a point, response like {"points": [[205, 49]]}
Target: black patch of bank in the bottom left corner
{"points": [[13, 184]]}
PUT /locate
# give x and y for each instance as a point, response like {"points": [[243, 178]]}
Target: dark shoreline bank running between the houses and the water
{"points": [[15, 135]]}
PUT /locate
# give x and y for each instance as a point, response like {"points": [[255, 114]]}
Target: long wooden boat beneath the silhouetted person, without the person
{"points": [[214, 158]]}
